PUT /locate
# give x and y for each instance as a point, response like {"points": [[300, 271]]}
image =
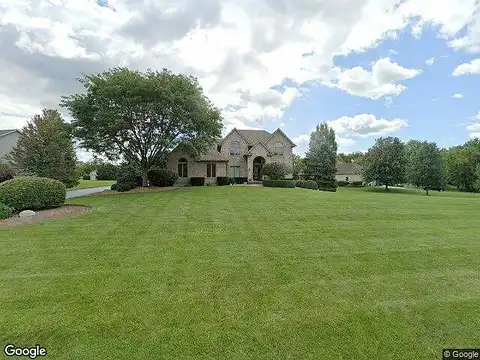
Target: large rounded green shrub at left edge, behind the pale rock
{"points": [[32, 193]]}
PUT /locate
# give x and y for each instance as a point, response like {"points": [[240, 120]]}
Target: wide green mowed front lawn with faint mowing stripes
{"points": [[247, 273]]}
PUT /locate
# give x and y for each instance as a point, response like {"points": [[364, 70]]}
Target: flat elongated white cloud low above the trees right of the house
{"points": [[365, 125]]}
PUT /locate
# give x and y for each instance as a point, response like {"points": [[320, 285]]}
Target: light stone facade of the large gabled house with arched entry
{"points": [[250, 144]]}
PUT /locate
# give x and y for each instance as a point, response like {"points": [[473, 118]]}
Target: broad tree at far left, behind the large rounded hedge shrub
{"points": [[45, 148]]}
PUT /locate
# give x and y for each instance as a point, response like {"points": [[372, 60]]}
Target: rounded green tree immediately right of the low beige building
{"points": [[385, 162]]}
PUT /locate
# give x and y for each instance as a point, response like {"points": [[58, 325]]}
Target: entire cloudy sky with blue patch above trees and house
{"points": [[370, 68]]}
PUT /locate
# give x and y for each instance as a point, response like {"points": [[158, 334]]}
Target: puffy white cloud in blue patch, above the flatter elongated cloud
{"points": [[375, 84]]}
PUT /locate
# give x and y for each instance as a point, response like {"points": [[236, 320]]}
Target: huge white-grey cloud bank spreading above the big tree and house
{"points": [[234, 47]]}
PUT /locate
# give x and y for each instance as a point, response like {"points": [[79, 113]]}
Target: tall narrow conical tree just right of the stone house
{"points": [[321, 157]]}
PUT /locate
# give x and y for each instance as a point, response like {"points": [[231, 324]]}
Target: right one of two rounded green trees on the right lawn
{"points": [[425, 167]]}
